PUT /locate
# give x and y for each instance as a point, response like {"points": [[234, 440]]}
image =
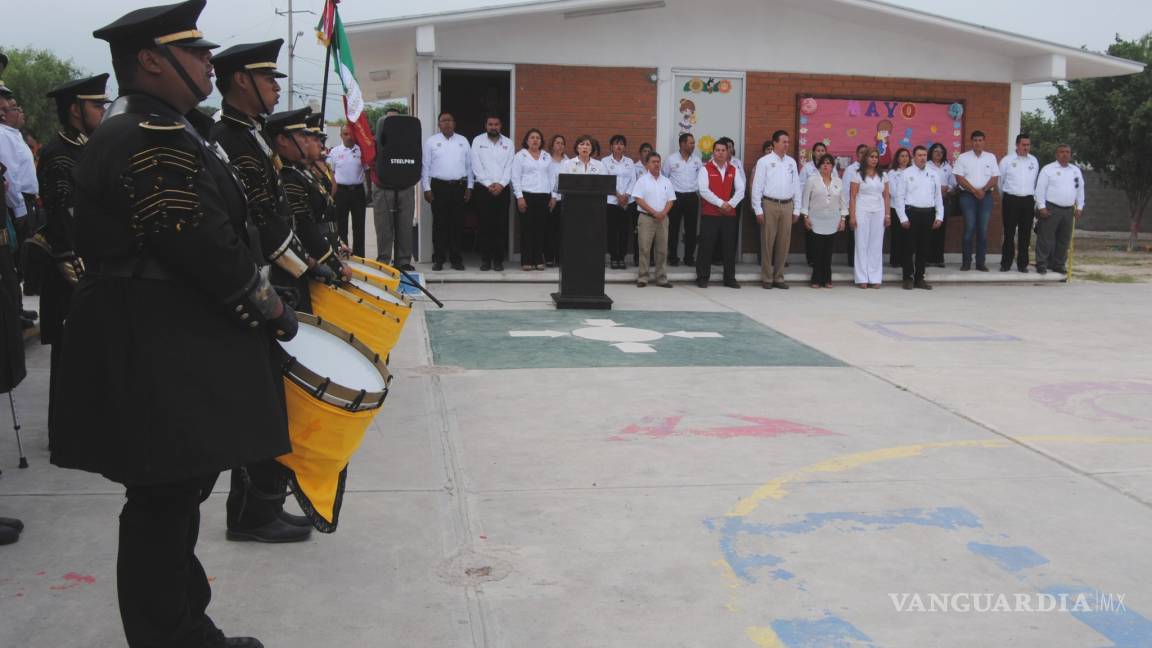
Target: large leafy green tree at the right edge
{"points": [[1110, 124]]}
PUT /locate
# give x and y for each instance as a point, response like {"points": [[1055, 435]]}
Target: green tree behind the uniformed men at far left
{"points": [[32, 74]]}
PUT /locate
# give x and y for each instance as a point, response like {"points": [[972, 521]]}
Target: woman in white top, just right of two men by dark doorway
{"points": [[532, 183]]}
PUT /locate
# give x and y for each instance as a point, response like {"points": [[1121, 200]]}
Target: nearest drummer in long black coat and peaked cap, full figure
{"points": [[168, 372]]}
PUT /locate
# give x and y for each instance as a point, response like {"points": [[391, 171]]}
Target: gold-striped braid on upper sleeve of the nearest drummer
{"points": [[162, 185]]}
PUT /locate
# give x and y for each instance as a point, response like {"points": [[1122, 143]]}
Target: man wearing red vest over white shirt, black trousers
{"points": [[722, 187]]}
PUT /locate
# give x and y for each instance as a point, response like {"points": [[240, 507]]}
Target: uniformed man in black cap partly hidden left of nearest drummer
{"points": [[80, 109]]}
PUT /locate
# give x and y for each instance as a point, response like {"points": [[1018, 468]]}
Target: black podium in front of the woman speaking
{"points": [[585, 208]]}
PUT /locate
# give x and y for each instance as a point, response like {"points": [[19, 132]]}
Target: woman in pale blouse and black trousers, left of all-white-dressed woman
{"points": [[824, 212]]}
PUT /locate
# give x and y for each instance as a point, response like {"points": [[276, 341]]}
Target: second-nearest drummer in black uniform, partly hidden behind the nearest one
{"points": [[247, 78]]}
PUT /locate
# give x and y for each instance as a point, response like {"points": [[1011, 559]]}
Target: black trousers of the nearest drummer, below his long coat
{"points": [[162, 586]]}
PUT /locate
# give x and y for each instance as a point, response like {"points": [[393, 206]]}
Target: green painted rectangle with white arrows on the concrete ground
{"points": [[532, 340]]}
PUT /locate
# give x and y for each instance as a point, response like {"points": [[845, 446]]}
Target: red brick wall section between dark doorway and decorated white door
{"points": [[573, 101]]}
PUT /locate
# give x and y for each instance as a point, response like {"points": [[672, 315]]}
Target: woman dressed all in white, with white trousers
{"points": [[868, 214]]}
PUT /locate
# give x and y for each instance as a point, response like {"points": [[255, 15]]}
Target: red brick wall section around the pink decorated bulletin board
{"points": [[771, 104]]}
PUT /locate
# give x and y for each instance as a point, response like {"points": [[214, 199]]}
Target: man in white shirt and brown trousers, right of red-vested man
{"points": [[776, 200]]}
